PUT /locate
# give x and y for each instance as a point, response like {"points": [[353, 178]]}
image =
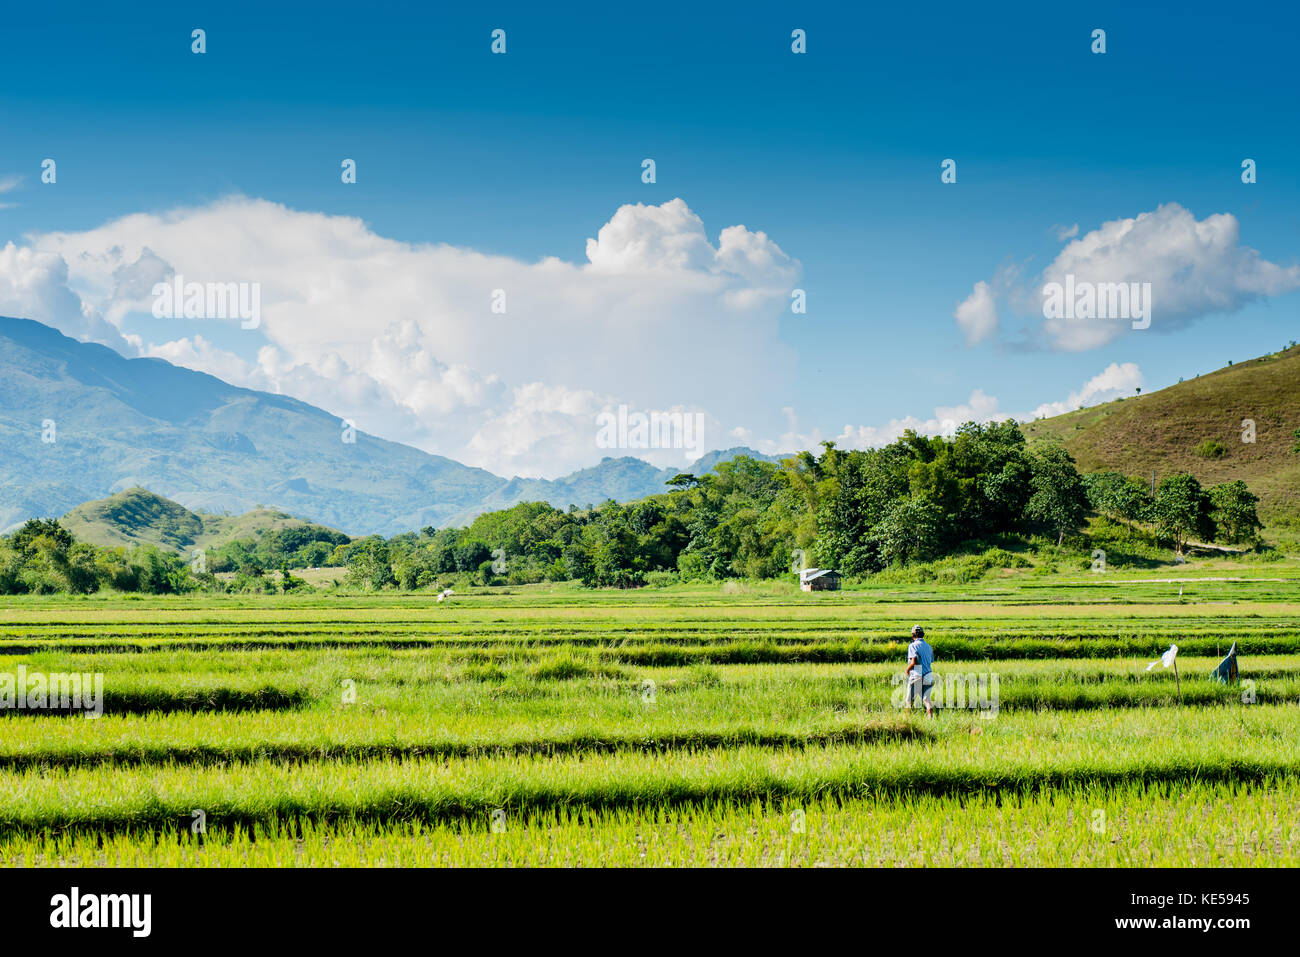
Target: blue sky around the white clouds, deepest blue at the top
{"points": [[834, 155]]}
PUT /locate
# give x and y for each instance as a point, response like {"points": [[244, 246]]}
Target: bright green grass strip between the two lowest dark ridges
{"points": [[1156, 750]]}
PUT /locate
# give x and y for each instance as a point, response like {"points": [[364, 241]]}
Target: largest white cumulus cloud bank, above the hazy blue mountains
{"points": [[404, 339]]}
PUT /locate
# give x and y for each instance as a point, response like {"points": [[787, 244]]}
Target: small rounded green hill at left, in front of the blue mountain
{"points": [[138, 517]]}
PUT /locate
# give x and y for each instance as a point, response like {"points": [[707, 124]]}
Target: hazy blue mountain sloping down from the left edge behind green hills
{"points": [[123, 423]]}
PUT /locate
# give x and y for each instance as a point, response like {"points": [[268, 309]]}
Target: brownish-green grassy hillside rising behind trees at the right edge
{"points": [[1162, 432]]}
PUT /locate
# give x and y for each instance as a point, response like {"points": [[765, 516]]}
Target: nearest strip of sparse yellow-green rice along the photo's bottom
{"points": [[1128, 826]]}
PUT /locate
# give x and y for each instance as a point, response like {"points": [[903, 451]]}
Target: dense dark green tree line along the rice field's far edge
{"points": [[859, 512]]}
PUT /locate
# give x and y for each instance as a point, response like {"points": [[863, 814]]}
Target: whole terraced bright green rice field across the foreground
{"points": [[695, 726]]}
